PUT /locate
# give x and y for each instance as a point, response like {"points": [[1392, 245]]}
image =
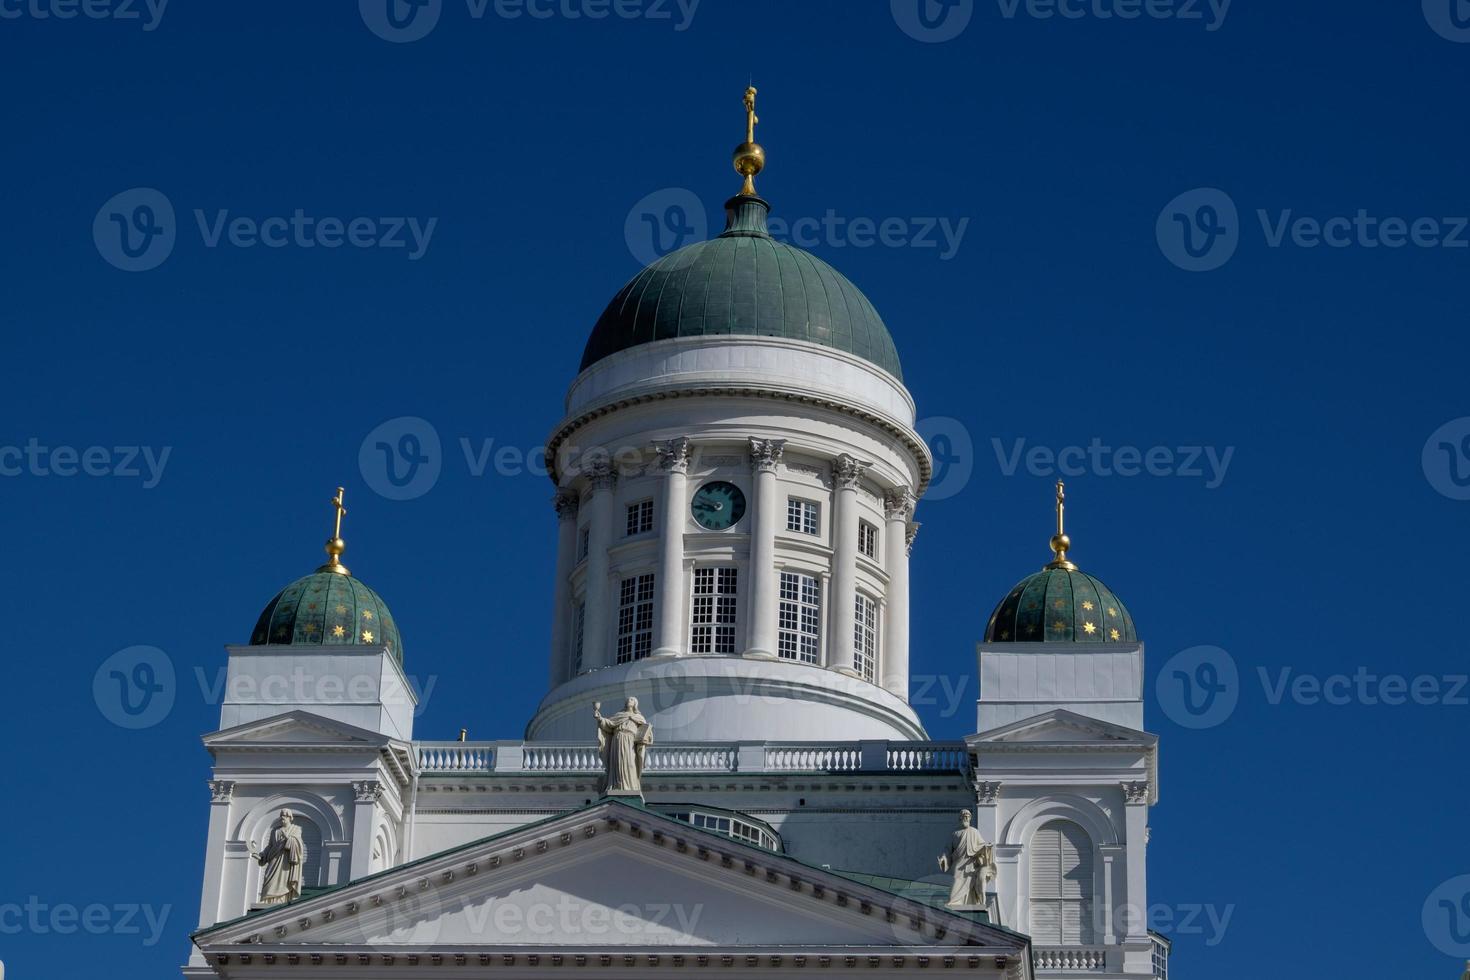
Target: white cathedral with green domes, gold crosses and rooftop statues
{"points": [[725, 777]]}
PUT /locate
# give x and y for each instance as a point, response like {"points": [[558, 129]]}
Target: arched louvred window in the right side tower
{"points": [[1062, 885]]}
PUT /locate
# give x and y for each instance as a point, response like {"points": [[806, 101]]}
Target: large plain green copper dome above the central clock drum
{"points": [[743, 283]]}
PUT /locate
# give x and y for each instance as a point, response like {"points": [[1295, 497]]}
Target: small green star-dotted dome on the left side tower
{"points": [[329, 609]]}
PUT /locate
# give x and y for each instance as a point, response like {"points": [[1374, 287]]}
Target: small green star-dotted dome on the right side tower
{"points": [[1059, 606]]}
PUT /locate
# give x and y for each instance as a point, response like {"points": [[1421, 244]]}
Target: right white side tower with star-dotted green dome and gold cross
{"points": [[1065, 774]]}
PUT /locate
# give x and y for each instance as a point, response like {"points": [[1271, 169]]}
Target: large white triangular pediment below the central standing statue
{"points": [[602, 878]]}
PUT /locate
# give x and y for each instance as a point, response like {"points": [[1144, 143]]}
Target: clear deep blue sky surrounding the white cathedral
{"points": [[1059, 320]]}
